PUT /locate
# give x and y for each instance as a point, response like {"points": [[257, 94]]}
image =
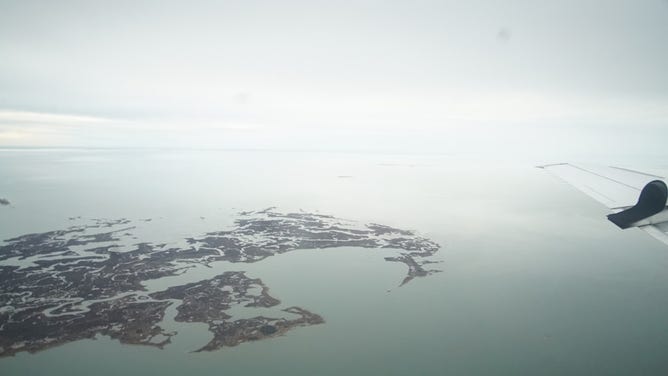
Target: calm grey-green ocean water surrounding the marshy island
{"points": [[535, 280]]}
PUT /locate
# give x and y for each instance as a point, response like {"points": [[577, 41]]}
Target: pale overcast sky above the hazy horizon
{"points": [[444, 76]]}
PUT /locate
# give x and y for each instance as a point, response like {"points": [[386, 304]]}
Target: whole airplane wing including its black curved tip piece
{"points": [[636, 199]]}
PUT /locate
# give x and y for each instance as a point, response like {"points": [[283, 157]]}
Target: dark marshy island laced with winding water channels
{"points": [[76, 283]]}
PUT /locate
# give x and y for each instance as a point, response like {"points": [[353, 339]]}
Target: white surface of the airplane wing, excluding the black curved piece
{"points": [[616, 188]]}
